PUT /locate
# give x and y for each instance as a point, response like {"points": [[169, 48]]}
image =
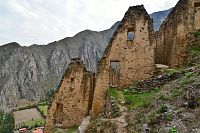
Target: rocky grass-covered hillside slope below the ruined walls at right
{"points": [[162, 108]]}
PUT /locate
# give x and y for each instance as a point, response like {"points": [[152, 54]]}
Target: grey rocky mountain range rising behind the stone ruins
{"points": [[30, 72]]}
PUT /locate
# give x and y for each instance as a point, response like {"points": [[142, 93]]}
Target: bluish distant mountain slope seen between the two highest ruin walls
{"points": [[159, 17]]}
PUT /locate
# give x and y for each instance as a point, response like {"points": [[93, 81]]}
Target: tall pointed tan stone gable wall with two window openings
{"points": [[128, 57]]}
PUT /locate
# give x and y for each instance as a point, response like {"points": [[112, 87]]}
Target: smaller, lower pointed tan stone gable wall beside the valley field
{"points": [[73, 99]]}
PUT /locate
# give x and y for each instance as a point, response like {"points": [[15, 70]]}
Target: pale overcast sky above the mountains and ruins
{"points": [[43, 21]]}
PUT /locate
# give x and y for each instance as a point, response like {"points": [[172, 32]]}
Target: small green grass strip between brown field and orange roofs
{"points": [[35, 123]]}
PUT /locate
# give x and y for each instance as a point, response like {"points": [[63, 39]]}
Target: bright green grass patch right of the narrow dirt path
{"points": [[139, 100]]}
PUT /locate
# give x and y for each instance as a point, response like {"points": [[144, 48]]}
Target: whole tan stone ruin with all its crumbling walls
{"points": [[130, 56]]}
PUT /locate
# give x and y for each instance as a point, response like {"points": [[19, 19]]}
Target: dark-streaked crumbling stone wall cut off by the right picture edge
{"points": [[171, 40]]}
